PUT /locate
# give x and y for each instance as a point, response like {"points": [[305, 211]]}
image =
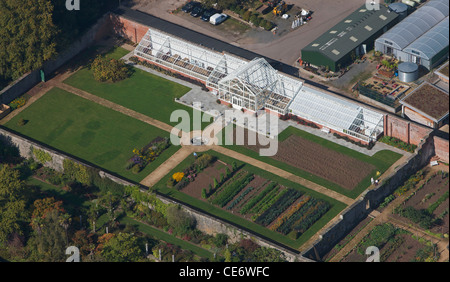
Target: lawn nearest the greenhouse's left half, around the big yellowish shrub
{"points": [[143, 92]]}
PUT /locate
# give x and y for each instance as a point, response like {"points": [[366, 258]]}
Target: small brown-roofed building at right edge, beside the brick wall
{"points": [[427, 105]]}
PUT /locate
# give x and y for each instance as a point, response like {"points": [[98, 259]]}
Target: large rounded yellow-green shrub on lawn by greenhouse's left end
{"points": [[105, 69]]}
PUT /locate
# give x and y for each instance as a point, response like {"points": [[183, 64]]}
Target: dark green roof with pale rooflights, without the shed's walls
{"points": [[351, 32]]}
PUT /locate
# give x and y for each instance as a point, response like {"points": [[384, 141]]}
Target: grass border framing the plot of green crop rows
{"points": [[238, 221]]}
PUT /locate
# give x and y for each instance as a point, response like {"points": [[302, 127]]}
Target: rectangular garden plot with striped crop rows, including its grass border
{"points": [[251, 198]]}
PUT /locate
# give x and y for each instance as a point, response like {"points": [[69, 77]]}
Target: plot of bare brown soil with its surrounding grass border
{"points": [[323, 162]]}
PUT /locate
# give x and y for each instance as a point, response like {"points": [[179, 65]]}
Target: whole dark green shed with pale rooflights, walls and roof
{"points": [[353, 36]]}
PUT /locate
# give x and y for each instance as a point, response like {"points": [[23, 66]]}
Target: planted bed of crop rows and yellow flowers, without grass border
{"points": [[250, 196]]}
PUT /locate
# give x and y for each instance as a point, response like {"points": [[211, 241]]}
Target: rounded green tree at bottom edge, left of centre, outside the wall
{"points": [[122, 248]]}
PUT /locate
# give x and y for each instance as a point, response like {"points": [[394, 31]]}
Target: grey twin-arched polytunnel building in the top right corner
{"points": [[421, 38]]}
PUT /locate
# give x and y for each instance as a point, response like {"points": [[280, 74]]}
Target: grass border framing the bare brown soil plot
{"points": [[381, 160]]}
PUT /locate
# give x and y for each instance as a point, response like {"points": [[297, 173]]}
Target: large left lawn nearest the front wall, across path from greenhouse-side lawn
{"points": [[89, 131]]}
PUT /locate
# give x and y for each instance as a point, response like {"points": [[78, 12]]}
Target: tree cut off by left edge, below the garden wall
{"points": [[12, 202]]}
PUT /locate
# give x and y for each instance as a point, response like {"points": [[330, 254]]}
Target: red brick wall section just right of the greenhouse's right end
{"points": [[404, 130]]}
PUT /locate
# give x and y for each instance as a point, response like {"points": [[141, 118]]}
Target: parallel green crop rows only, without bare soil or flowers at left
{"points": [[281, 209]]}
